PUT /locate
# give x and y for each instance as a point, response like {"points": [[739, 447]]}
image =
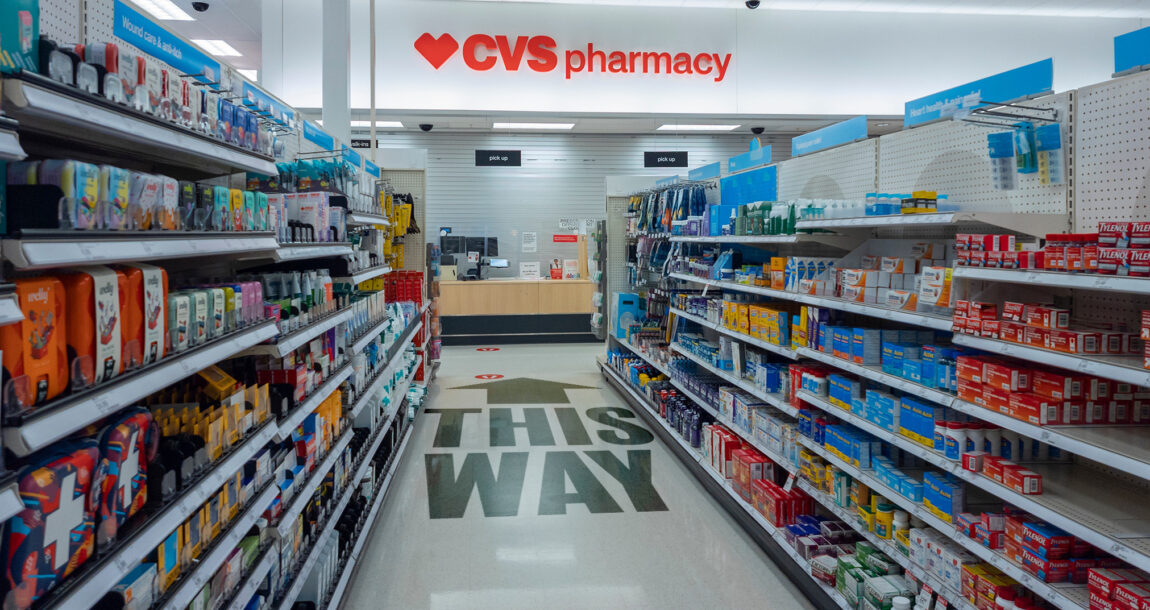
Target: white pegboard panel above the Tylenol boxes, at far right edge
{"points": [[1111, 164]]}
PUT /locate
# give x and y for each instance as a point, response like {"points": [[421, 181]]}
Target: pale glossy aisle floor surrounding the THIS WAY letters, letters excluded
{"points": [[692, 555]]}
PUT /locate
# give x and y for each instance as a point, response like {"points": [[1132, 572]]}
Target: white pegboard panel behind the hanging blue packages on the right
{"points": [[952, 158]]}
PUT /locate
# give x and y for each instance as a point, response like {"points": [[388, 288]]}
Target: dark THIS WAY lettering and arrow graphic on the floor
{"points": [[480, 451]]}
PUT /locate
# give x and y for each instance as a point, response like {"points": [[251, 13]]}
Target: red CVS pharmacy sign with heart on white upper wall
{"points": [[541, 54]]}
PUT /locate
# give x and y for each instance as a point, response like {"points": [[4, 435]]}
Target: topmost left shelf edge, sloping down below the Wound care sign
{"points": [[44, 106]]}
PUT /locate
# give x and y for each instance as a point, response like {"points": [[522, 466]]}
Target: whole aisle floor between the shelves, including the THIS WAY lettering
{"points": [[553, 527]]}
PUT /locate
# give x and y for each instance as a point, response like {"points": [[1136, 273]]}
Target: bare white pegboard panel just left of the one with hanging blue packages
{"points": [[844, 173]]}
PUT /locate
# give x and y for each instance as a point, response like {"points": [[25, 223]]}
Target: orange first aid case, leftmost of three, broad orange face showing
{"points": [[36, 348]]}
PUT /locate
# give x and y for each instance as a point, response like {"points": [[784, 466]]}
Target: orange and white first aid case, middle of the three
{"points": [[96, 323]]}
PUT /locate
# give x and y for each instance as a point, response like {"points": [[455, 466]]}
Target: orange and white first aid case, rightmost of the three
{"points": [[145, 304]]}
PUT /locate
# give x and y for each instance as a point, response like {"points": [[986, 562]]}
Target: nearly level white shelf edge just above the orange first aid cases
{"points": [[43, 250]]}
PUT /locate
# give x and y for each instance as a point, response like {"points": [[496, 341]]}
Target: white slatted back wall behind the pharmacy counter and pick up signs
{"points": [[562, 177]]}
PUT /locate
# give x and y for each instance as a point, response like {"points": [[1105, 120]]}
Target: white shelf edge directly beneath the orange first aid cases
{"points": [[55, 422]]}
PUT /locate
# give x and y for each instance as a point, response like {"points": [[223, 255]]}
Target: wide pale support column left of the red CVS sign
{"points": [[338, 91]]}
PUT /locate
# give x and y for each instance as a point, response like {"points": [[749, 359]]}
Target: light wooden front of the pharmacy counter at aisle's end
{"points": [[516, 298]]}
